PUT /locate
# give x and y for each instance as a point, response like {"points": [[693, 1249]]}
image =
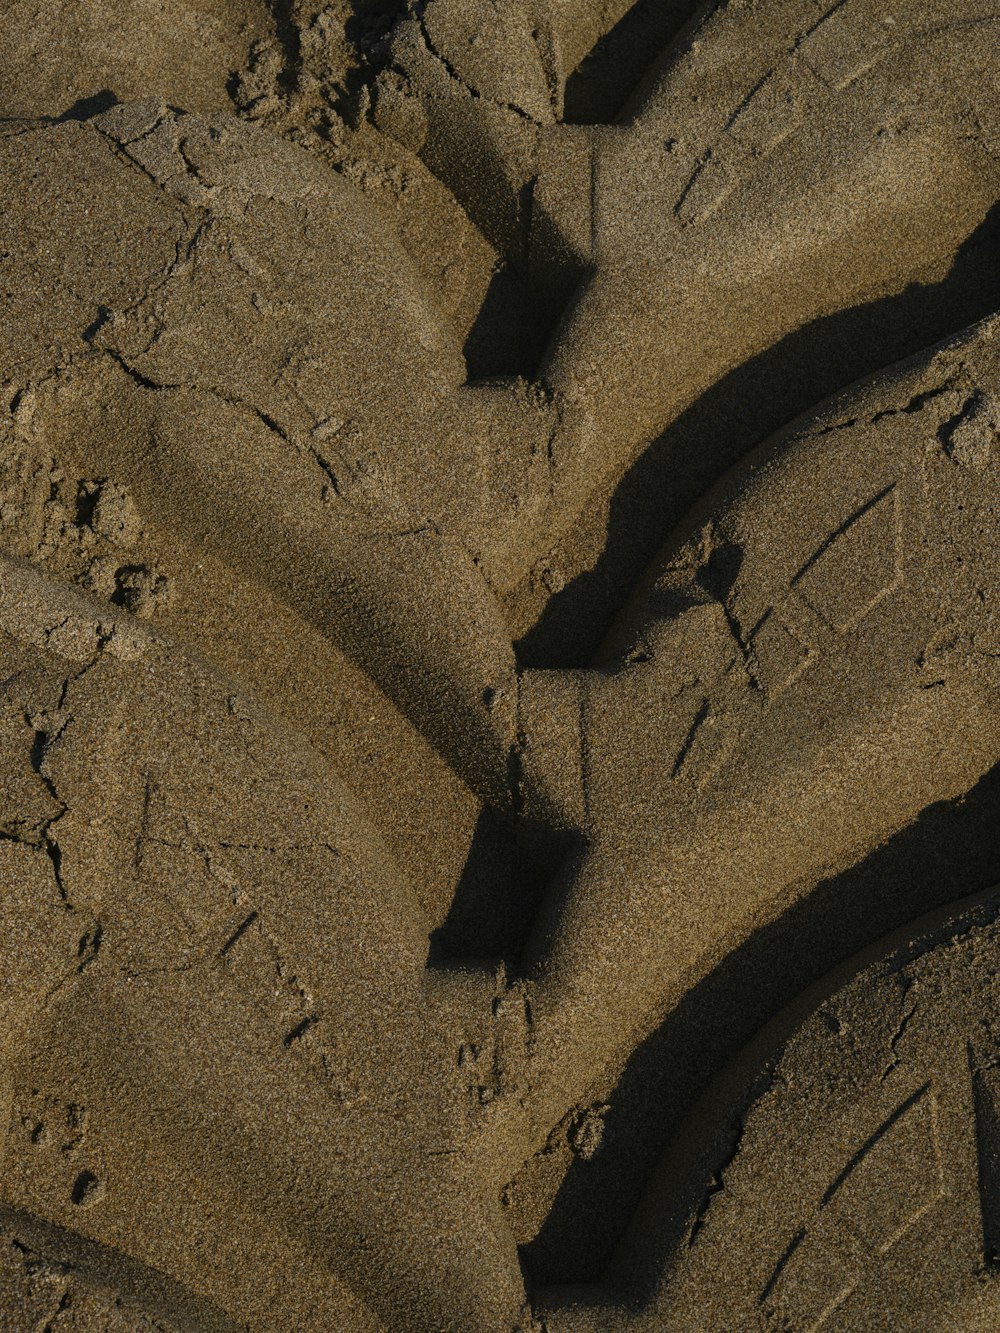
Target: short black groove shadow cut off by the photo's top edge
{"points": [[609, 77]]}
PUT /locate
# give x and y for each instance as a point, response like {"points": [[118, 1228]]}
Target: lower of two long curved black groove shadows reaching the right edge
{"points": [[950, 852]]}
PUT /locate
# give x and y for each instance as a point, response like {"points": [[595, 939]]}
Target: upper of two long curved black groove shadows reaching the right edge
{"points": [[737, 414]]}
